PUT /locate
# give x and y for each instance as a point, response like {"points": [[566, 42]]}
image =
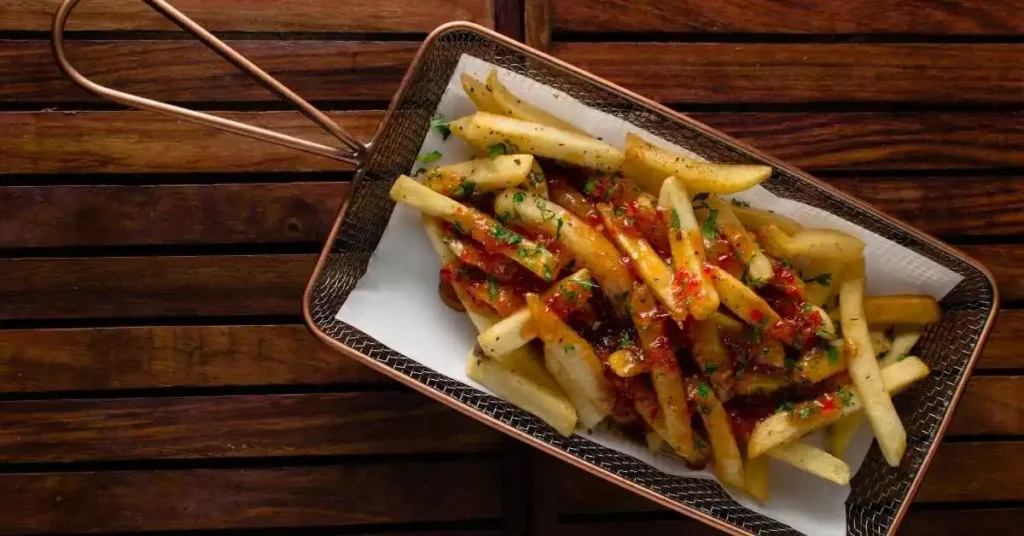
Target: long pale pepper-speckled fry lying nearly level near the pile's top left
{"points": [[483, 130]]}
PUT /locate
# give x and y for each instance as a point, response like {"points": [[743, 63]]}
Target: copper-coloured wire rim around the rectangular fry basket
{"points": [[706, 131]]}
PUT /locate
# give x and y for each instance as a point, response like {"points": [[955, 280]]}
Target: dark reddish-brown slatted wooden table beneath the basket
{"points": [[154, 368]]}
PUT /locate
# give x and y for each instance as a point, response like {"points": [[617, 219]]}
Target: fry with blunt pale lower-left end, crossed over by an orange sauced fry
{"points": [[519, 329]]}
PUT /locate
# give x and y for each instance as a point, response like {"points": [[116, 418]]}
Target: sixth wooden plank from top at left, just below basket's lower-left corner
{"points": [[104, 359]]}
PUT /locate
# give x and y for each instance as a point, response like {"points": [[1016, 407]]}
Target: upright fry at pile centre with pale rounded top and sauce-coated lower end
{"points": [[688, 250]]}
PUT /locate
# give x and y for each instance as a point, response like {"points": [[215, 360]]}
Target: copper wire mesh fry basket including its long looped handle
{"points": [[881, 496]]}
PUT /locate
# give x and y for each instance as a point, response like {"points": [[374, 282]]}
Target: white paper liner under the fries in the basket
{"points": [[397, 302]]}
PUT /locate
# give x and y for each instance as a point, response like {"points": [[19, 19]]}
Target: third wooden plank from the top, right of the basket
{"points": [[880, 141]]}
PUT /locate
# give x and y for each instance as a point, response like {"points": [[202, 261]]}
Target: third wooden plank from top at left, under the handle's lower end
{"points": [[143, 143]]}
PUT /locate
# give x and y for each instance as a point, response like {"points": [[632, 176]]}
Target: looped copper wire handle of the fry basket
{"points": [[353, 153]]}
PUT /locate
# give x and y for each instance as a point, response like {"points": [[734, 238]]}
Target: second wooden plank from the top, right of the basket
{"points": [[807, 73]]}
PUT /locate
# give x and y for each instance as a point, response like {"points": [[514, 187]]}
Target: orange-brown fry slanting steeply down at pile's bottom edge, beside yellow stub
{"points": [[729, 463]]}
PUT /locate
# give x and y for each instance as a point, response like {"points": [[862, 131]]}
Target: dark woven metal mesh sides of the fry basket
{"points": [[878, 489]]}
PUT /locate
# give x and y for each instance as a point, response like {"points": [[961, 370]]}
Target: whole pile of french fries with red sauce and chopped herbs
{"points": [[622, 287]]}
